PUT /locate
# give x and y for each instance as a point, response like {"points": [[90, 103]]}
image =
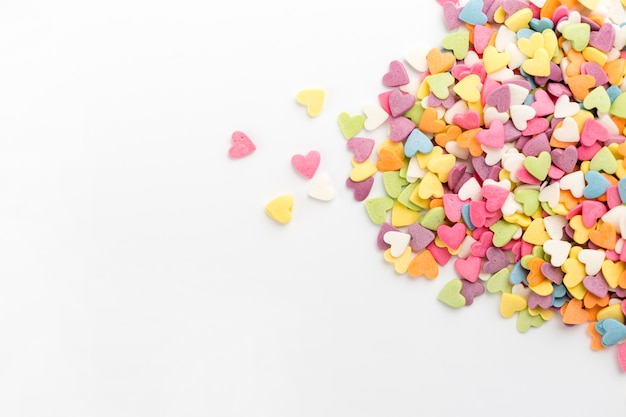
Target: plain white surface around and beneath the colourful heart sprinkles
{"points": [[139, 273]]}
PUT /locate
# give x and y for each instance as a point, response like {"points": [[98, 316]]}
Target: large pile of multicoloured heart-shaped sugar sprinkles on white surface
{"points": [[505, 154]]}
